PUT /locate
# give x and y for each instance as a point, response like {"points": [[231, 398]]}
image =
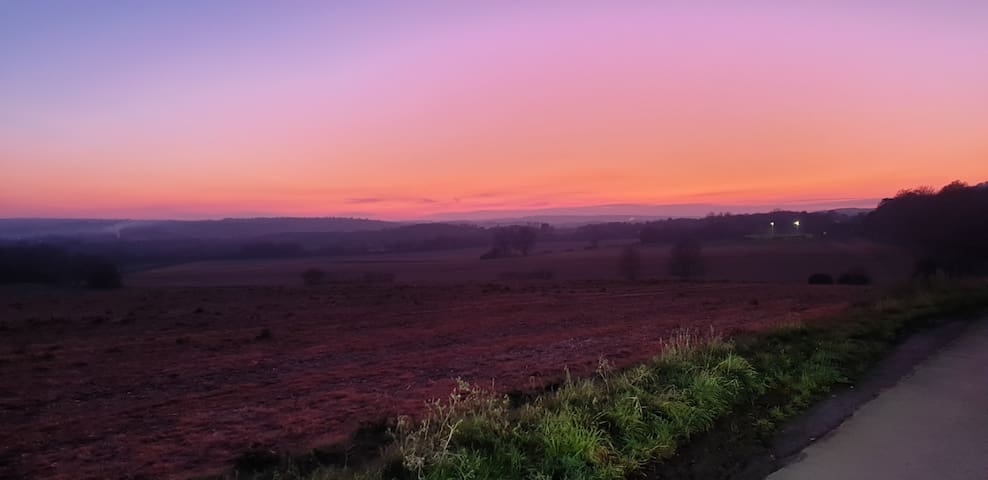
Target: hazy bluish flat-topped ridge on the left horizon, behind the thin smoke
{"points": [[180, 229]]}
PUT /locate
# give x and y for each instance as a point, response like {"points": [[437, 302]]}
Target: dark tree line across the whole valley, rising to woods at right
{"points": [[947, 230]]}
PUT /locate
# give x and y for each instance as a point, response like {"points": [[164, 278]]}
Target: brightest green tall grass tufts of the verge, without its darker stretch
{"points": [[603, 427]]}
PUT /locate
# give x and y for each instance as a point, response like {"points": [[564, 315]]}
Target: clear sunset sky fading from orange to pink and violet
{"points": [[401, 110]]}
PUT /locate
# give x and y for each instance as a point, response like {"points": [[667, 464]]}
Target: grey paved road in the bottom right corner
{"points": [[932, 425]]}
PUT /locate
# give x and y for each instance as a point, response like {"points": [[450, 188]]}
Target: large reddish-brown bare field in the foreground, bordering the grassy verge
{"points": [[175, 382]]}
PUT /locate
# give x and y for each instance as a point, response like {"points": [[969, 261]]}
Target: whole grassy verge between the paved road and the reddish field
{"points": [[622, 422]]}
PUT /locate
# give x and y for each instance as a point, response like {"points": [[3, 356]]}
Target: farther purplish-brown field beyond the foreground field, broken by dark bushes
{"points": [[752, 261]]}
